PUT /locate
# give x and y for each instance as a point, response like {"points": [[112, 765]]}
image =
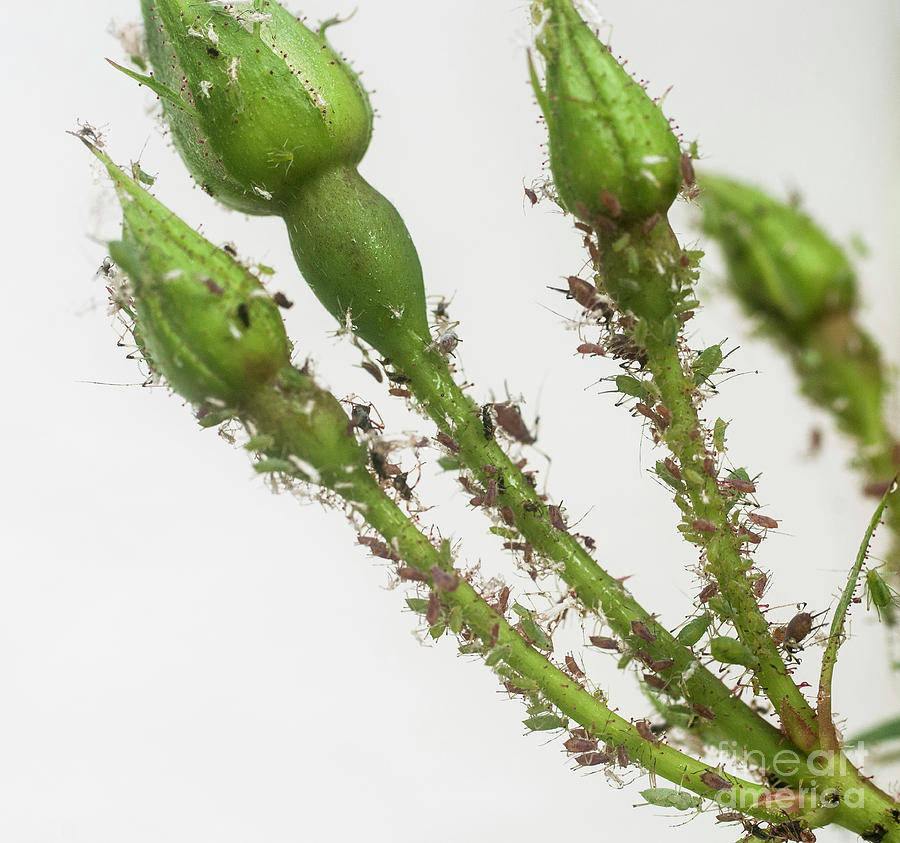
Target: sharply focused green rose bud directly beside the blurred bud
{"points": [[612, 152]]}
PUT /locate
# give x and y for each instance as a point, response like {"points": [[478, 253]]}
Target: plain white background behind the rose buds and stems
{"points": [[184, 656]]}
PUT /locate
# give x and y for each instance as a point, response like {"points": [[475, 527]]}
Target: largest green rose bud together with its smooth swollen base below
{"points": [[271, 121]]}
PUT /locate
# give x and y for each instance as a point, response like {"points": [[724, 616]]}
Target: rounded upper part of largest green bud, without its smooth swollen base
{"points": [[255, 100]]}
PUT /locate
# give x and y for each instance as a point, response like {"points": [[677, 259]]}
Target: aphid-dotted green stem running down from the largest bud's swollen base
{"points": [[458, 416]]}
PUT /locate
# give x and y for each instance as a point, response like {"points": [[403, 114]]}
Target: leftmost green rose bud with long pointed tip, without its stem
{"points": [[206, 323]]}
